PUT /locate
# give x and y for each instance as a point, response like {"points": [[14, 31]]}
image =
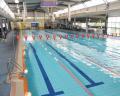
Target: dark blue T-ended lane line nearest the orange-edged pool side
{"points": [[44, 74]]}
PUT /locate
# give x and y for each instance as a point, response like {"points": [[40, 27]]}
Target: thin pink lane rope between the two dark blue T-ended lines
{"points": [[75, 78]]}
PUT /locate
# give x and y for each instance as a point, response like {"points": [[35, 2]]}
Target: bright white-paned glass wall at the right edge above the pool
{"points": [[114, 26]]}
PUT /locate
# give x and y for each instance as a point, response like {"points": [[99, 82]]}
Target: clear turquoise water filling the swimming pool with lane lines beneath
{"points": [[93, 62]]}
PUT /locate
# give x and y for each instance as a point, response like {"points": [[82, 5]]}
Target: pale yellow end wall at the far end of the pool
{"points": [[32, 17]]}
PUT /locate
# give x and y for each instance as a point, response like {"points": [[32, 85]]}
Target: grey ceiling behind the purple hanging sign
{"points": [[34, 5]]}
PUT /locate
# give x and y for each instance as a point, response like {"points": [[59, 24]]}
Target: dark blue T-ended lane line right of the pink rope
{"points": [[92, 83]]}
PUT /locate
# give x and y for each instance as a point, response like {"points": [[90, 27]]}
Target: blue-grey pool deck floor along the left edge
{"points": [[6, 52]]}
